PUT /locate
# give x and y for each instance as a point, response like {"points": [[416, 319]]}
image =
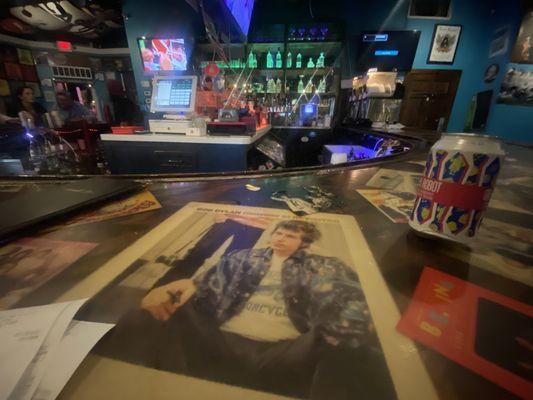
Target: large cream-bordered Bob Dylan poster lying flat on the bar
{"points": [[258, 299]]}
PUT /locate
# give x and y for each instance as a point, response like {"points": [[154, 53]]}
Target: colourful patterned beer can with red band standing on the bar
{"points": [[454, 192]]}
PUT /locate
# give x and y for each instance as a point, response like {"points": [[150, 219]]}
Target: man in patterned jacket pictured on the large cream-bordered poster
{"points": [[275, 318]]}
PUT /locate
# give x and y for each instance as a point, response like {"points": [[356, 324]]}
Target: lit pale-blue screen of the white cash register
{"points": [[174, 94]]}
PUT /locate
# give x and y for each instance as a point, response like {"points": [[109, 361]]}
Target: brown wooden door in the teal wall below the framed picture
{"points": [[429, 96]]}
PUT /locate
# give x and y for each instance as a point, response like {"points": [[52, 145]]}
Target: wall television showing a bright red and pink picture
{"points": [[163, 55]]}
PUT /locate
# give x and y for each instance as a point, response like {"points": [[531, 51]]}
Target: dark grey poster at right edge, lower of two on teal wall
{"points": [[517, 87]]}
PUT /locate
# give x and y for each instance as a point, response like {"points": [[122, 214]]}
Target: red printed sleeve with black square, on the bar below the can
{"points": [[482, 330]]}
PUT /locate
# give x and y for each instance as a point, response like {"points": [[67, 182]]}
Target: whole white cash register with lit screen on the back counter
{"points": [[175, 96]]}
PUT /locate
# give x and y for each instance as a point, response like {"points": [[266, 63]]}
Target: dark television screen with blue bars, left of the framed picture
{"points": [[387, 51]]}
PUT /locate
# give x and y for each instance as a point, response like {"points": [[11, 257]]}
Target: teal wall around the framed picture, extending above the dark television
{"points": [[479, 20]]}
